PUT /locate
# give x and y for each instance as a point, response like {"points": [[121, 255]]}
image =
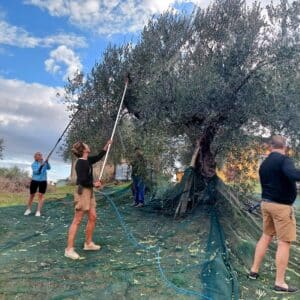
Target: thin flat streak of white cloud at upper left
{"points": [[17, 36]]}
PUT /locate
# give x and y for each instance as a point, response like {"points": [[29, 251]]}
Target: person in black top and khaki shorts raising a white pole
{"points": [[84, 197]]}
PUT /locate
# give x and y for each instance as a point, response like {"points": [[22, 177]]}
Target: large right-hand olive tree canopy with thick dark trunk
{"points": [[236, 73]]}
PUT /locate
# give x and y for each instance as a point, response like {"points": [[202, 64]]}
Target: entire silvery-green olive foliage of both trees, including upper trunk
{"points": [[212, 80]]}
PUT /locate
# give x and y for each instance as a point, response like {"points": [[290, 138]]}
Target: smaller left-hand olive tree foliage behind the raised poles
{"points": [[98, 98]]}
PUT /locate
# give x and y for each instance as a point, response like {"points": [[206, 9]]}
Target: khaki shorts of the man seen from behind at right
{"points": [[279, 220]]}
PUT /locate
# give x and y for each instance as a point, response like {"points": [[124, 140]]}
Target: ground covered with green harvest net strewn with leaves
{"points": [[144, 255]]}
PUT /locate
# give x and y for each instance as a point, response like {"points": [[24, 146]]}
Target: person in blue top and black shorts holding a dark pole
{"points": [[38, 182]]}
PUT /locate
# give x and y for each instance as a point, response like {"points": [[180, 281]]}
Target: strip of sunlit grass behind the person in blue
{"points": [[54, 193]]}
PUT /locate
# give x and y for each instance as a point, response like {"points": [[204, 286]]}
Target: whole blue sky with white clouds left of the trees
{"points": [[42, 43]]}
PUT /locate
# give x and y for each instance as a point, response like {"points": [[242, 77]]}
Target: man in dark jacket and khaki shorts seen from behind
{"points": [[278, 177]]}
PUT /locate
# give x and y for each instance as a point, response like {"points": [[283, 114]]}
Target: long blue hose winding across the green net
{"points": [[155, 248]]}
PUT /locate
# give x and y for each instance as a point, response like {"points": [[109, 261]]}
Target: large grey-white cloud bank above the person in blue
{"points": [[31, 116]]}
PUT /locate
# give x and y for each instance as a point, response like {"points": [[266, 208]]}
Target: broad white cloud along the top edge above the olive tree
{"points": [[107, 17]]}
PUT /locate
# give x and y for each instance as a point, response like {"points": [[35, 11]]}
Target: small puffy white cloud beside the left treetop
{"points": [[63, 56]]}
